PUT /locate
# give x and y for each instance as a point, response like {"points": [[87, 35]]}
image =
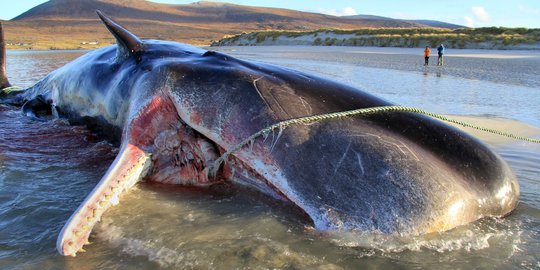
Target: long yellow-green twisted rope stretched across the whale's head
{"points": [[366, 111]]}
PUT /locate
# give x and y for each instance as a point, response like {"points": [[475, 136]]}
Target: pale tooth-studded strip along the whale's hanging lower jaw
{"points": [[107, 200]]}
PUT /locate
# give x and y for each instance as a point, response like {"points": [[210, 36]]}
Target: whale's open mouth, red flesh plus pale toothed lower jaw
{"points": [[159, 147]]}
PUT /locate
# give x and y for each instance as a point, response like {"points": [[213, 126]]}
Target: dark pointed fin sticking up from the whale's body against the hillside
{"points": [[128, 43]]}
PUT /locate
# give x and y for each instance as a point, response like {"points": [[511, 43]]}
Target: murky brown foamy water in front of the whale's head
{"points": [[199, 231]]}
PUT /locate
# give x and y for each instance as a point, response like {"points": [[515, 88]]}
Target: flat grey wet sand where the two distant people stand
{"points": [[510, 67]]}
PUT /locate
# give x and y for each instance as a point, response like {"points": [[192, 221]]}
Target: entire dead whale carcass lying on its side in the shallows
{"points": [[174, 108]]}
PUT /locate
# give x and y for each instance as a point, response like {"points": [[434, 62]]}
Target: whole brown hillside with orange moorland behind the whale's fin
{"points": [[73, 23]]}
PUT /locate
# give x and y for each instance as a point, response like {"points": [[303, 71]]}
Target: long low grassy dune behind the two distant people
{"points": [[487, 38]]}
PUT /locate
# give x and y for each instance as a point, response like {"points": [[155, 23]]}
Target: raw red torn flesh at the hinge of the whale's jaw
{"points": [[180, 154]]}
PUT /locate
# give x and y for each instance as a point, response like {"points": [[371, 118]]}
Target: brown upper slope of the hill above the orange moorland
{"points": [[198, 12]]}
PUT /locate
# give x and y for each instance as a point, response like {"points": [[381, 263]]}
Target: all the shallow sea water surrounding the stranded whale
{"points": [[47, 168]]}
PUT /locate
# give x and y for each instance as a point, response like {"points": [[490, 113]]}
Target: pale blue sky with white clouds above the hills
{"points": [[472, 13]]}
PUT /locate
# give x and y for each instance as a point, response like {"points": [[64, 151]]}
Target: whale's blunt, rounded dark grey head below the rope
{"points": [[373, 180]]}
